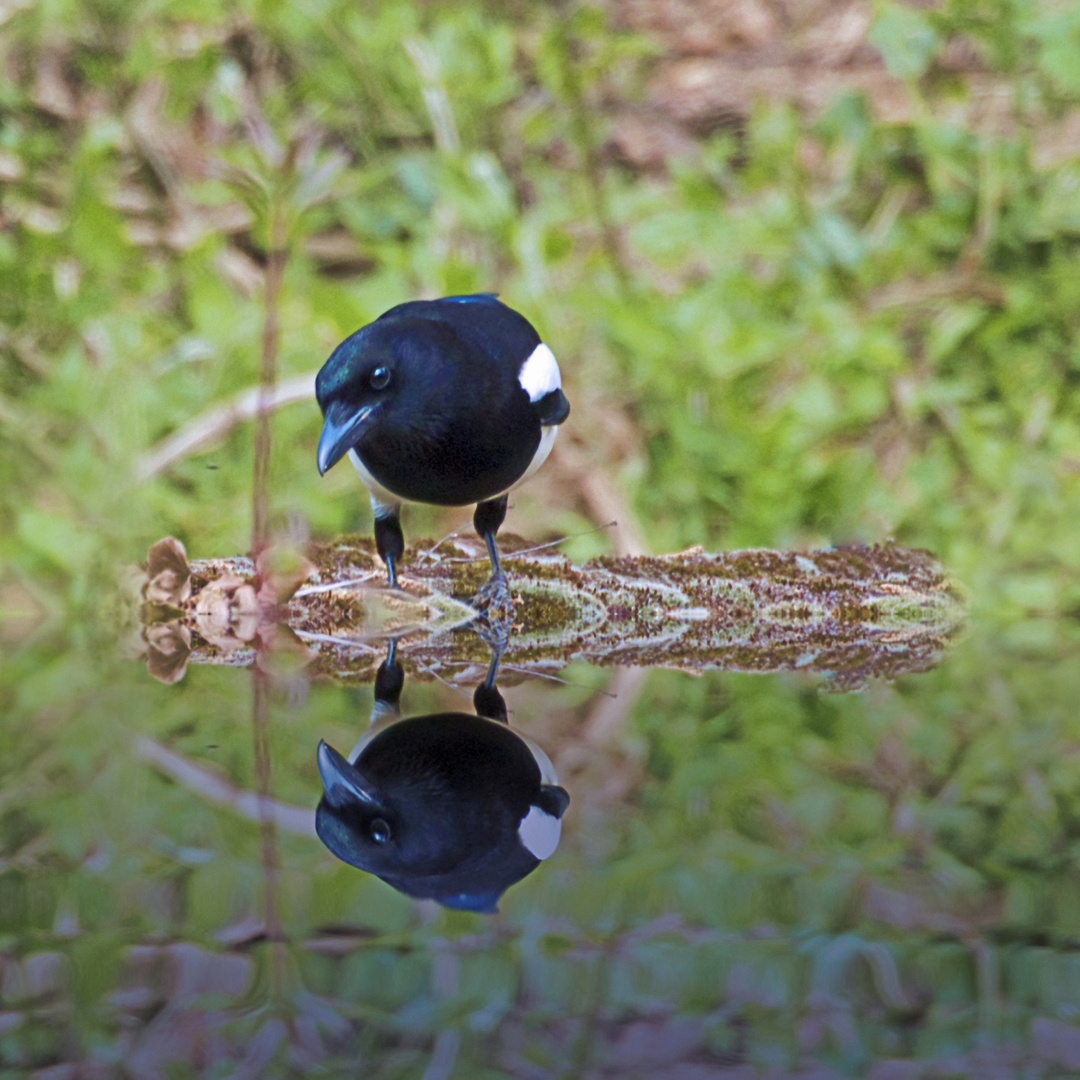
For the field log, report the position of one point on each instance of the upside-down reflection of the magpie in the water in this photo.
(449, 807)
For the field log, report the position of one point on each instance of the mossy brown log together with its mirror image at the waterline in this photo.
(848, 613)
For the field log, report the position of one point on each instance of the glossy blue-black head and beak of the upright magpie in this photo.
(389, 377)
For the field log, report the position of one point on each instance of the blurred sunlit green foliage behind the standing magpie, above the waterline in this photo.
(827, 330)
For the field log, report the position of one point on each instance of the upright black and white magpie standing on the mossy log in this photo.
(449, 402)
